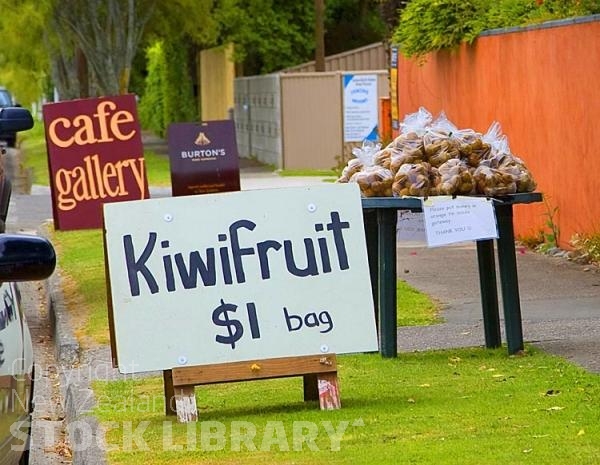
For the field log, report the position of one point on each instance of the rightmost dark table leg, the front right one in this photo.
(507, 262)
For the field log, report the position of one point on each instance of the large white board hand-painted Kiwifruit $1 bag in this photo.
(238, 276)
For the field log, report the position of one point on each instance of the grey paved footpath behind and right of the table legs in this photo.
(560, 301)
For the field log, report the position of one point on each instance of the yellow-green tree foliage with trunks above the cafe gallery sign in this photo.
(60, 38)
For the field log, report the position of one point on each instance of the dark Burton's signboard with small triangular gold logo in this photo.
(204, 158)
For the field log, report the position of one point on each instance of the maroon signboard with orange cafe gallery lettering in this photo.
(95, 155)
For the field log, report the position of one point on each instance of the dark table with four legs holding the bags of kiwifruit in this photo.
(380, 218)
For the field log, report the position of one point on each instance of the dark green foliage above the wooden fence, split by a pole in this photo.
(274, 34)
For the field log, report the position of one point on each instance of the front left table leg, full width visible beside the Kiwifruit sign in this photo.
(386, 232)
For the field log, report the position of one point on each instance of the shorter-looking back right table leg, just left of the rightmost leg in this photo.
(489, 293)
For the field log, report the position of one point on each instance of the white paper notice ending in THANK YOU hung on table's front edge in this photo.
(449, 220)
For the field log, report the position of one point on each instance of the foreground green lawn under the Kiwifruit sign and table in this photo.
(462, 407)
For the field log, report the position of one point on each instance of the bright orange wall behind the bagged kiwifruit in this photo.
(543, 86)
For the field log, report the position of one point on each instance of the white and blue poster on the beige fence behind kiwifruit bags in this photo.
(361, 117)
